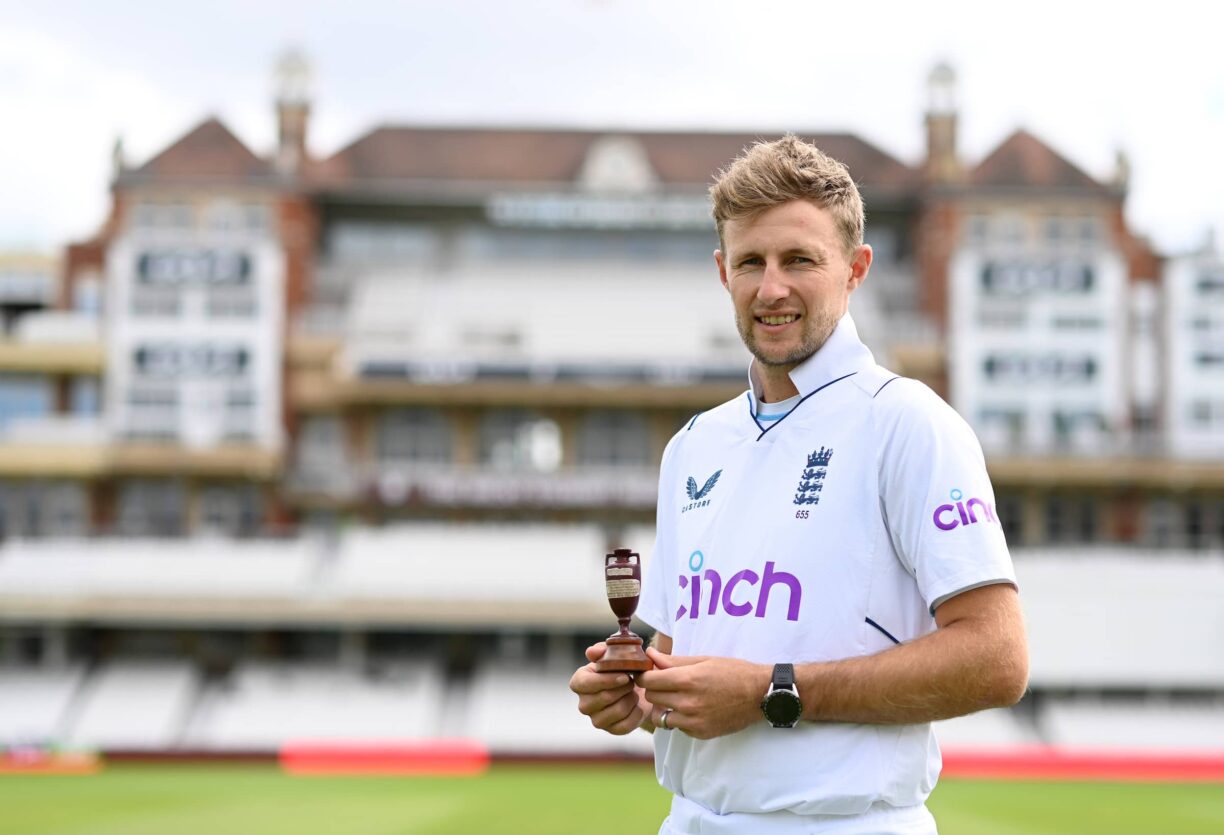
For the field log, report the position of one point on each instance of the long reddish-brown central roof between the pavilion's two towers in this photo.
(542, 156)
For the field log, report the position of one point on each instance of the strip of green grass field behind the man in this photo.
(537, 800)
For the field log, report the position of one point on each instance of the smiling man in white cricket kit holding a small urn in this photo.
(829, 575)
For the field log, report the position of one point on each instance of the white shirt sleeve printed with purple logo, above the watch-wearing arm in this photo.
(937, 496)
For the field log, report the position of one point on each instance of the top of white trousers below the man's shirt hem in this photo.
(690, 818)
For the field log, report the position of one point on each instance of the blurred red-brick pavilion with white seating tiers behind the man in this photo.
(429, 380)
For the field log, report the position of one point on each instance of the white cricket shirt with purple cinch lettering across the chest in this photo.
(829, 534)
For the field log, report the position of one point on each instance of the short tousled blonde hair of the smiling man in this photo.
(769, 174)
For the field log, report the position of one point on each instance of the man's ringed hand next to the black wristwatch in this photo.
(709, 697)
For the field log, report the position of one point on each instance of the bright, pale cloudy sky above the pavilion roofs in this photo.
(1089, 78)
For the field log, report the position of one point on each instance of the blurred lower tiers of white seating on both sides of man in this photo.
(527, 598)
